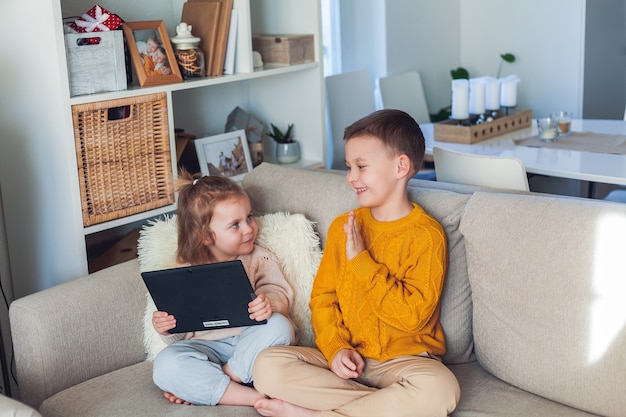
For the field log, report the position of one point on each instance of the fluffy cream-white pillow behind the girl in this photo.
(291, 237)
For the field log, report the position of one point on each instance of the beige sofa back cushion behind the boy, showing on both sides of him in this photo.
(323, 195)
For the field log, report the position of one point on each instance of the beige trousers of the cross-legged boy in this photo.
(404, 386)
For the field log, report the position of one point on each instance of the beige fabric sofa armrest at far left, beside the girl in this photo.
(78, 330)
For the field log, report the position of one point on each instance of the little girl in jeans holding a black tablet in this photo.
(215, 224)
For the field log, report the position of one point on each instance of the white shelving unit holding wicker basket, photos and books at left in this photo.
(38, 166)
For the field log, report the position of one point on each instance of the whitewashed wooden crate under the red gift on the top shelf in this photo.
(96, 66)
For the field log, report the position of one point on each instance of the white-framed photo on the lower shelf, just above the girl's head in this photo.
(226, 154)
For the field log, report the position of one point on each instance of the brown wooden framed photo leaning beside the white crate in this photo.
(151, 52)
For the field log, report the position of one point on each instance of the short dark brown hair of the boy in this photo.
(398, 131)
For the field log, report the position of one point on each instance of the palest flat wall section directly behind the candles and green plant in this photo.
(549, 55)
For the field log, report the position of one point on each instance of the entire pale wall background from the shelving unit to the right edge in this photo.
(548, 38)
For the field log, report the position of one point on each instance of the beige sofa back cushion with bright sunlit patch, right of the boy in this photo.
(548, 282)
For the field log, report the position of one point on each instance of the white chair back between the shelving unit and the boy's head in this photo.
(349, 96)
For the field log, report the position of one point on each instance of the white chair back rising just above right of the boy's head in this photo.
(404, 91)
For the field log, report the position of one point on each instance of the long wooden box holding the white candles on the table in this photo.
(450, 131)
